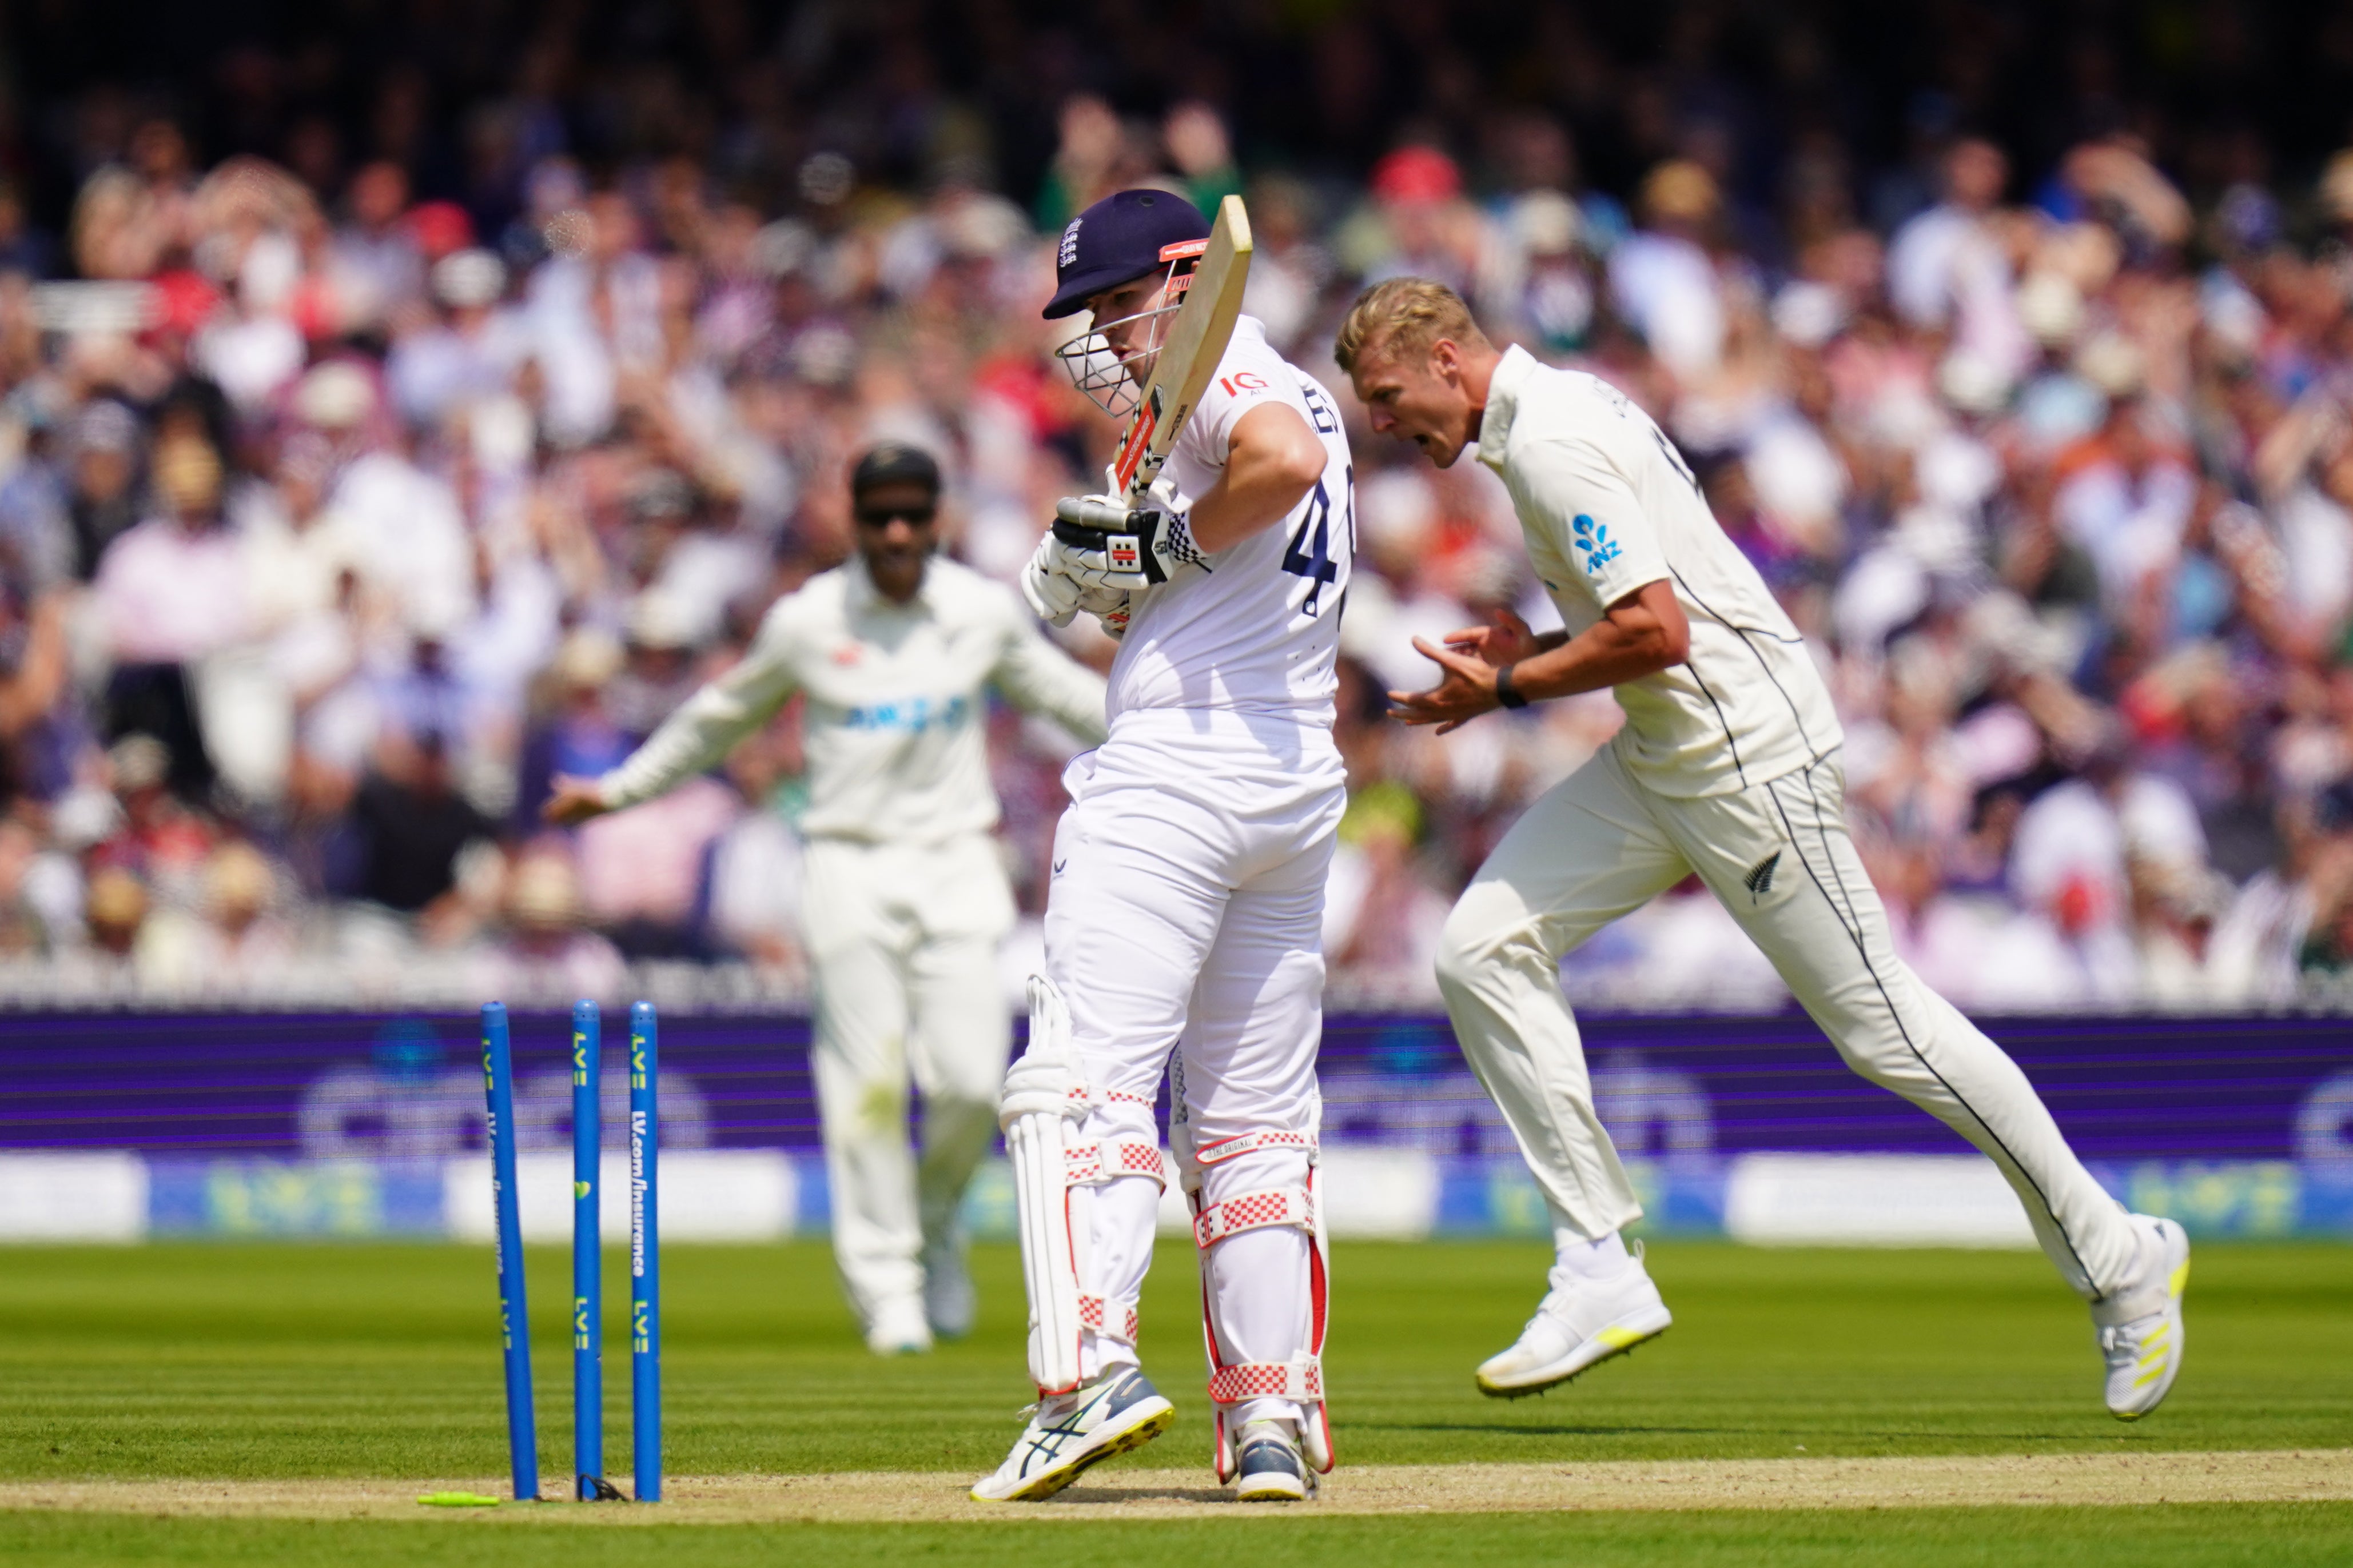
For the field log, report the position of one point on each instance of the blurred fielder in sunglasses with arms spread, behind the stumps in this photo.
(907, 899)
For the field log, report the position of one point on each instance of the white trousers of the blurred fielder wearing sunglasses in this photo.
(905, 960)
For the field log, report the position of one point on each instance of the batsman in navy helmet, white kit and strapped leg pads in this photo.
(1187, 902)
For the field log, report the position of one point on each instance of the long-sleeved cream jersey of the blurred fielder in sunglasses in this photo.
(895, 704)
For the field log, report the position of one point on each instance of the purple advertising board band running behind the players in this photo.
(408, 1087)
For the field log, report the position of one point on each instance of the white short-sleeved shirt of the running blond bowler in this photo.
(1608, 507)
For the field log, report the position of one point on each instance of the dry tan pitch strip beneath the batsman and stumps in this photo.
(1389, 1489)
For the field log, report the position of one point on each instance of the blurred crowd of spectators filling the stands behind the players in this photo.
(347, 502)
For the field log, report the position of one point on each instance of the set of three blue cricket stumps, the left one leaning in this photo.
(587, 1257)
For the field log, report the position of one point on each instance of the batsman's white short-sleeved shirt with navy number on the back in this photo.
(1260, 631)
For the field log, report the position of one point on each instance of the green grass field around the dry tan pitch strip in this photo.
(284, 1362)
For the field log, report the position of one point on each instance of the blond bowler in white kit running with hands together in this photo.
(1728, 768)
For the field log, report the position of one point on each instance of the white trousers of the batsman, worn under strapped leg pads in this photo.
(1187, 916)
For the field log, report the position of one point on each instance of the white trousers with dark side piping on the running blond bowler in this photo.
(1780, 859)
